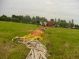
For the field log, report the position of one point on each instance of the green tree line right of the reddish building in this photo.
(65, 24)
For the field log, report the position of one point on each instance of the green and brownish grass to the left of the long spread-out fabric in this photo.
(8, 30)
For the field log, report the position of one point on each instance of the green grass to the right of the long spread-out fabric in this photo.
(63, 43)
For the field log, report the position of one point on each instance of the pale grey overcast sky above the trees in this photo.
(64, 9)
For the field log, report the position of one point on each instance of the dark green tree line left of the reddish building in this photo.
(23, 19)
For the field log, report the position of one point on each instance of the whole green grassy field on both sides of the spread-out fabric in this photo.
(61, 43)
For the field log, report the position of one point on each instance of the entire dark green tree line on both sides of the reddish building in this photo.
(36, 20)
